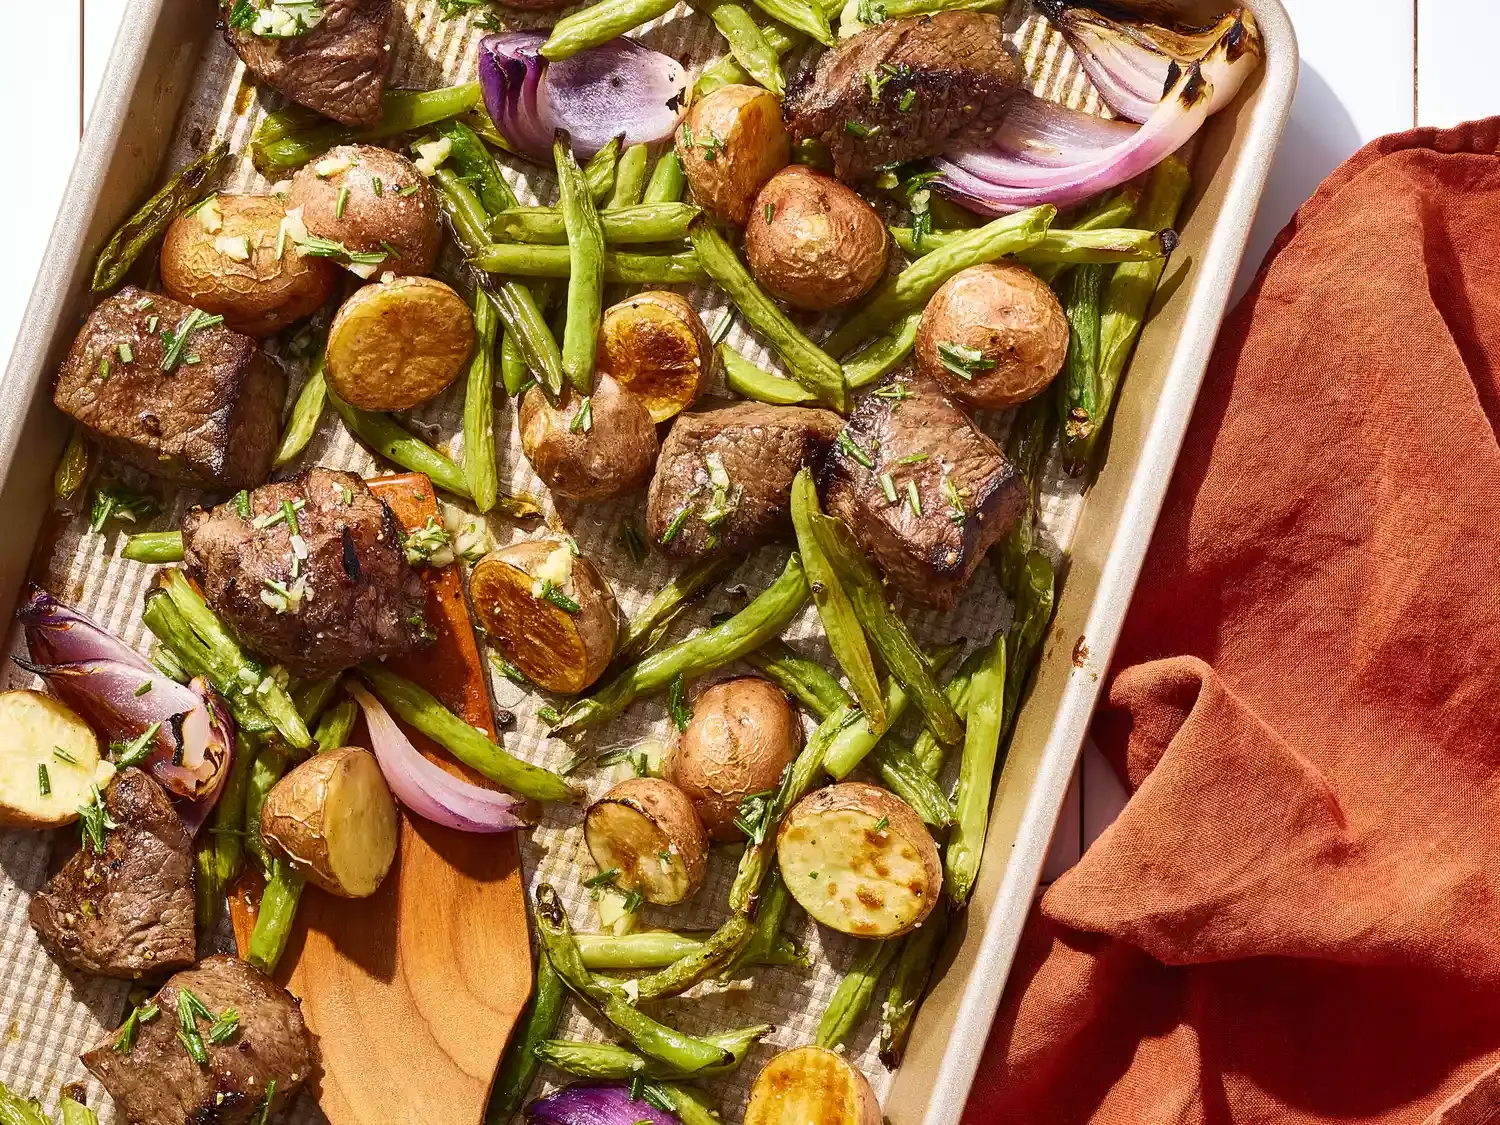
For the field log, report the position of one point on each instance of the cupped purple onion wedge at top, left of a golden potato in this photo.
(613, 89)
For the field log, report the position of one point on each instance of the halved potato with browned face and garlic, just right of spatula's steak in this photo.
(551, 613)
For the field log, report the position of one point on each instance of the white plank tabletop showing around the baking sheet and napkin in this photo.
(1369, 68)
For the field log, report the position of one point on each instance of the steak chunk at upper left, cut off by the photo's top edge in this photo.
(338, 68)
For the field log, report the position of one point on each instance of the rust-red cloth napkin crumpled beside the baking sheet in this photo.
(1297, 919)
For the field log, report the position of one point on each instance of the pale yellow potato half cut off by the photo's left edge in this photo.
(49, 763)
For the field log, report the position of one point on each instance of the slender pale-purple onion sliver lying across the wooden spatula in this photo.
(427, 790)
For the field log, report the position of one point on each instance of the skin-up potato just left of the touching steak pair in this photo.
(613, 458)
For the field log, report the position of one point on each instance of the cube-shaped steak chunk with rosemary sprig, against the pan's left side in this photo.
(203, 412)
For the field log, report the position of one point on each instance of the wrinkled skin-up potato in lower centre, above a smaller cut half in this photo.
(742, 737)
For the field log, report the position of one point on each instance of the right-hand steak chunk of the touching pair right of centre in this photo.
(968, 494)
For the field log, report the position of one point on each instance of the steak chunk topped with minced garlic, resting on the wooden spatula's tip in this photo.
(343, 593)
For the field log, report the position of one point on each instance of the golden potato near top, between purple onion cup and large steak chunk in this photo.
(746, 146)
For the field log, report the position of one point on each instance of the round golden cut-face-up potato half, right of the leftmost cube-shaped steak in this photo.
(398, 344)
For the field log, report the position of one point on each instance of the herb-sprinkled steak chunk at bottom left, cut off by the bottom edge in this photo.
(158, 1084)
